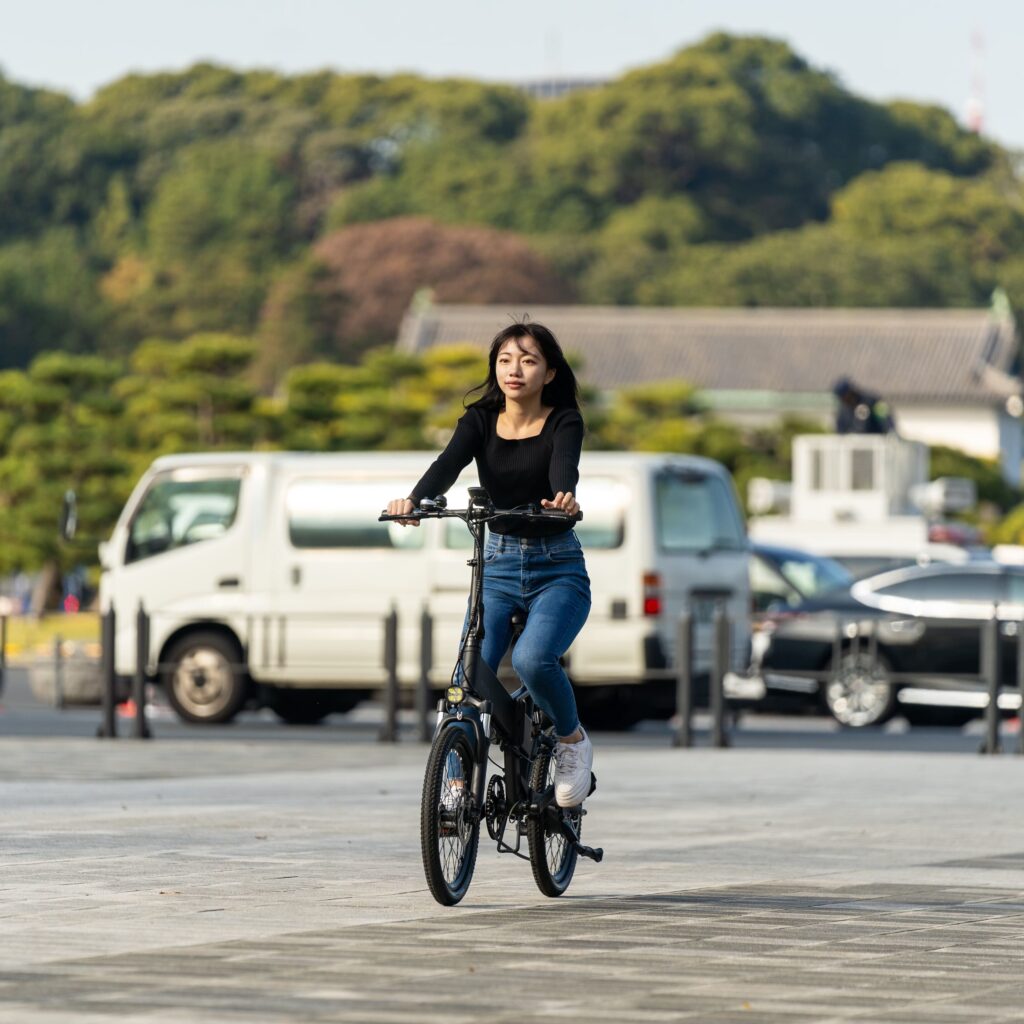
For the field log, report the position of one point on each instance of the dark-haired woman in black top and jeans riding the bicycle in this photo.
(526, 434)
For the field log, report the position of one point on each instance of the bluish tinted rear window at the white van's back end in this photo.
(697, 513)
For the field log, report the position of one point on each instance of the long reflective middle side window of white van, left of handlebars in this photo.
(326, 514)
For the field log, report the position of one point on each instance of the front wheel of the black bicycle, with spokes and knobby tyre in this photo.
(450, 832)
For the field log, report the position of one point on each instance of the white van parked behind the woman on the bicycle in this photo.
(268, 578)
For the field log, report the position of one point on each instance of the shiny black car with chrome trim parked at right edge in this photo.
(928, 624)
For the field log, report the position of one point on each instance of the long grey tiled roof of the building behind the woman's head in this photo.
(917, 355)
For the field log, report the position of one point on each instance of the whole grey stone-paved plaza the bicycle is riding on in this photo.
(231, 880)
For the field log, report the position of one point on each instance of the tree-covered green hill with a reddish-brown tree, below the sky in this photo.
(307, 211)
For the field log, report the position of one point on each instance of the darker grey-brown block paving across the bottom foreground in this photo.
(381, 973)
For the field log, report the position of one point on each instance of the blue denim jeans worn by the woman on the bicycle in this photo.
(546, 578)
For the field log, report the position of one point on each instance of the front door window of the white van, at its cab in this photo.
(178, 513)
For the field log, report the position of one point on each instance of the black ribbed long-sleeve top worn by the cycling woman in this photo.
(514, 473)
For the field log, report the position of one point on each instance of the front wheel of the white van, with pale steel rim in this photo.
(204, 679)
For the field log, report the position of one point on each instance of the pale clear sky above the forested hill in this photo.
(926, 51)
